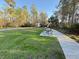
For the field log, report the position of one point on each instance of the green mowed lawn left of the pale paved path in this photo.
(28, 44)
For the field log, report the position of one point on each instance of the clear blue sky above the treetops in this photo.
(49, 6)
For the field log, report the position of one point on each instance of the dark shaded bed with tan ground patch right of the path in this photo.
(74, 34)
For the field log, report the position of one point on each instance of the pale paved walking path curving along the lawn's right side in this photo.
(69, 46)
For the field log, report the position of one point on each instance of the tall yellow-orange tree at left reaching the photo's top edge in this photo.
(10, 12)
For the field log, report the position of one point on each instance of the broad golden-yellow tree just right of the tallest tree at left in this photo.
(22, 16)
